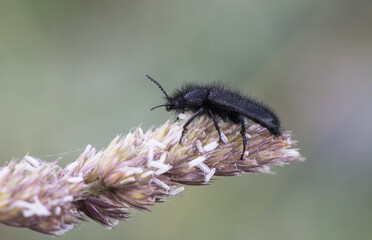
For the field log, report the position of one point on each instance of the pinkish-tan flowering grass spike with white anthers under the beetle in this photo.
(133, 172)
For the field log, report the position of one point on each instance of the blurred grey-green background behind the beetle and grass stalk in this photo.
(72, 74)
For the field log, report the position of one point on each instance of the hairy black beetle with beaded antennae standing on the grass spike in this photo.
(218, 100)
